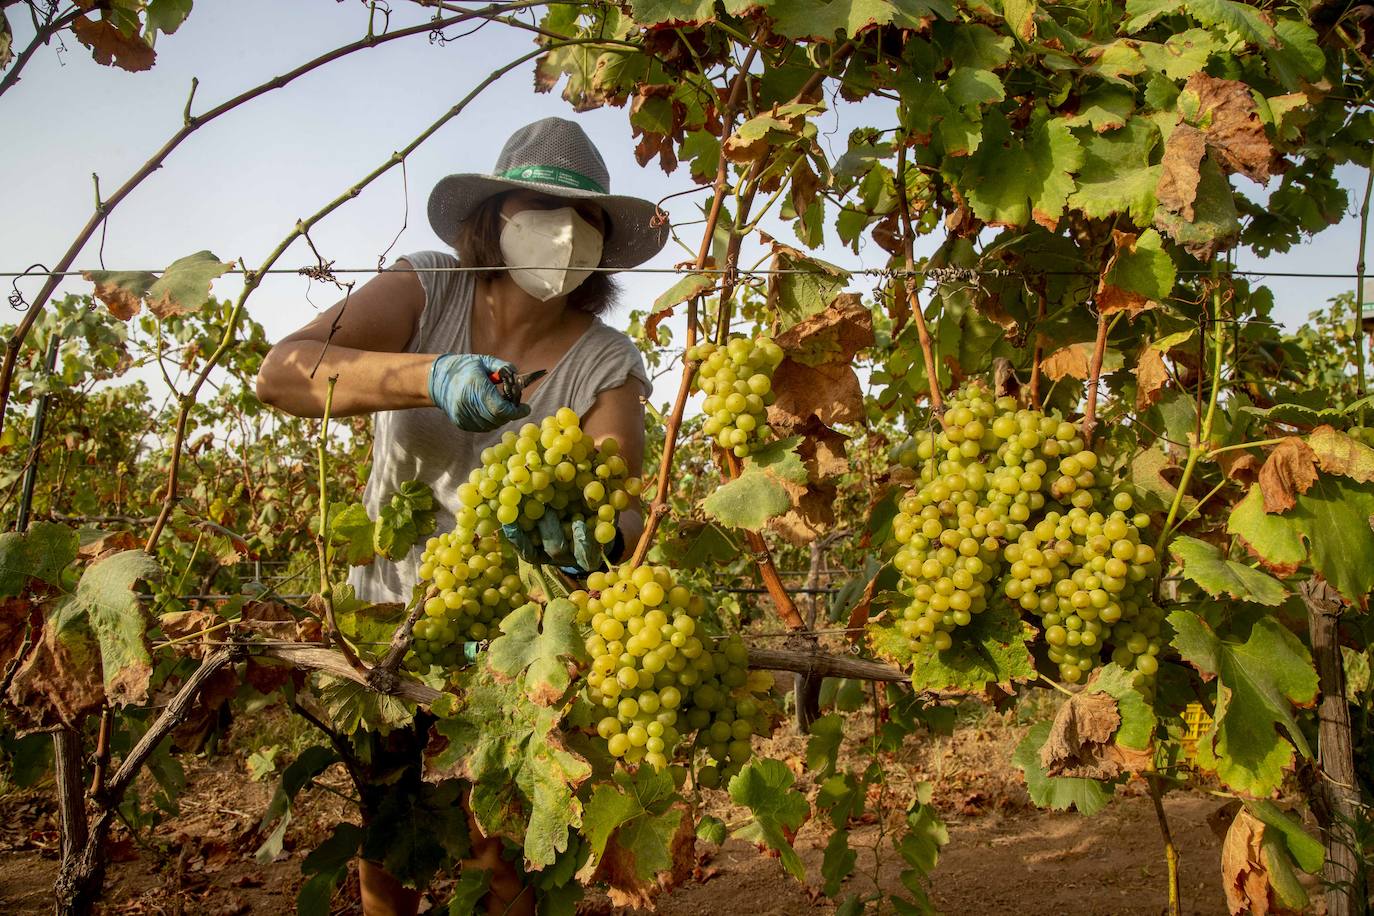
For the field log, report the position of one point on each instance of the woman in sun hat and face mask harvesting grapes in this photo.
(418, 348)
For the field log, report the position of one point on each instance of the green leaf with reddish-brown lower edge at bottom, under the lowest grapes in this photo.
(634, 827)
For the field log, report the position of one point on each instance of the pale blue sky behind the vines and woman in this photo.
(238, 186)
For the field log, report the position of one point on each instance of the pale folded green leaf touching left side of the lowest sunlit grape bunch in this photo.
(538, 645)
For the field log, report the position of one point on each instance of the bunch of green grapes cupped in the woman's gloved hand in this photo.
(548, 468)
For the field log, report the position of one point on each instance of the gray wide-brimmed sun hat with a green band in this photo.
(554, 157)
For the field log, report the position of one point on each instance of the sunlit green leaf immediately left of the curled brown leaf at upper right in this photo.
(1116, 175)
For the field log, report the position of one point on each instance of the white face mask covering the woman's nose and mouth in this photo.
(550, 252)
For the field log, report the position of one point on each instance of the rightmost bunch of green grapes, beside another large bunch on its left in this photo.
(1090, 579)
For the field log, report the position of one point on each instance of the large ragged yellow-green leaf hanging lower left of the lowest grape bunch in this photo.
(524, 778)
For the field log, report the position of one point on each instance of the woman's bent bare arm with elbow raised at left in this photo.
(374, 326)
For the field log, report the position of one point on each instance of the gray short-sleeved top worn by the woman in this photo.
(421, 444)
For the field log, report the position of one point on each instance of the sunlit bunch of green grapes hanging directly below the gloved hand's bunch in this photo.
(645, 654)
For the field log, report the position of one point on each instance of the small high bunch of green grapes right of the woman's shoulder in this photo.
(737, 381)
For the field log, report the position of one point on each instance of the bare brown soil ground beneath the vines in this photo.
(1005, 856)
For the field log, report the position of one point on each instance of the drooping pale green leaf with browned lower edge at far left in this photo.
(106, 599)
